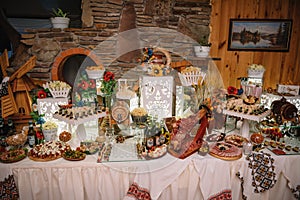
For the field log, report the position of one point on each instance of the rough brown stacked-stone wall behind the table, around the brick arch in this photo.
(103, 19)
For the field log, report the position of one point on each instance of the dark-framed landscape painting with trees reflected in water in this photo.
(259, 34)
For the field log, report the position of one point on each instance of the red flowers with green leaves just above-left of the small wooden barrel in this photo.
(108, 83)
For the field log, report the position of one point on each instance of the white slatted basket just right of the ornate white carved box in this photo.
(191, 78)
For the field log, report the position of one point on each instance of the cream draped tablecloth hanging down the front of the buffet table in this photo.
(196, 177)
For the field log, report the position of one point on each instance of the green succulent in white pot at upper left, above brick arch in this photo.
(59, 19)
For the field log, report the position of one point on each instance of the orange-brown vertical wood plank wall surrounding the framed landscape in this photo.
(280, 66)
